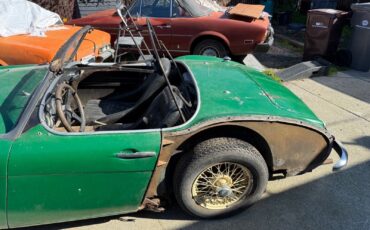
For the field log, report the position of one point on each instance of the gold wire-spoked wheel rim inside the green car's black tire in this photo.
(222, 185)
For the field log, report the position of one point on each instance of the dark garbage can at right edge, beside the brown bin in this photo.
(360, 43)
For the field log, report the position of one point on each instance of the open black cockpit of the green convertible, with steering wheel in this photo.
(102, 99)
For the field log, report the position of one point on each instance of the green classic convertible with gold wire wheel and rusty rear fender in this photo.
(80, 141)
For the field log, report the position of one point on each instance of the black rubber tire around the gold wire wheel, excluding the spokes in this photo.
(210, 152)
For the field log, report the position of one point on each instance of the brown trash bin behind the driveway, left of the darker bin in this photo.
(323, 32)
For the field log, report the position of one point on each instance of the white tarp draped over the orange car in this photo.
(24, 17)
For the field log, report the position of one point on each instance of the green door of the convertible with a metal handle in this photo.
(55, 178)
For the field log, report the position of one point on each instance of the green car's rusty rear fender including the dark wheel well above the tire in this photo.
(288, 146)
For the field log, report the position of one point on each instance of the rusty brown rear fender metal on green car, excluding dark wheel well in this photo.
(293, 146)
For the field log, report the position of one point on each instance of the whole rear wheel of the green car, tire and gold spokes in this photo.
(220, 176)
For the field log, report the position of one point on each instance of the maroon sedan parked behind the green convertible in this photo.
(186, 27)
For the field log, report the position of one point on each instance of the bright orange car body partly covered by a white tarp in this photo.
(25, 49)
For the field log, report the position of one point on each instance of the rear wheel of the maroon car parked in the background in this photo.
(210, 47)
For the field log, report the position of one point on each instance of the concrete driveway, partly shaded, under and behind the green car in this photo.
(318, 200)
